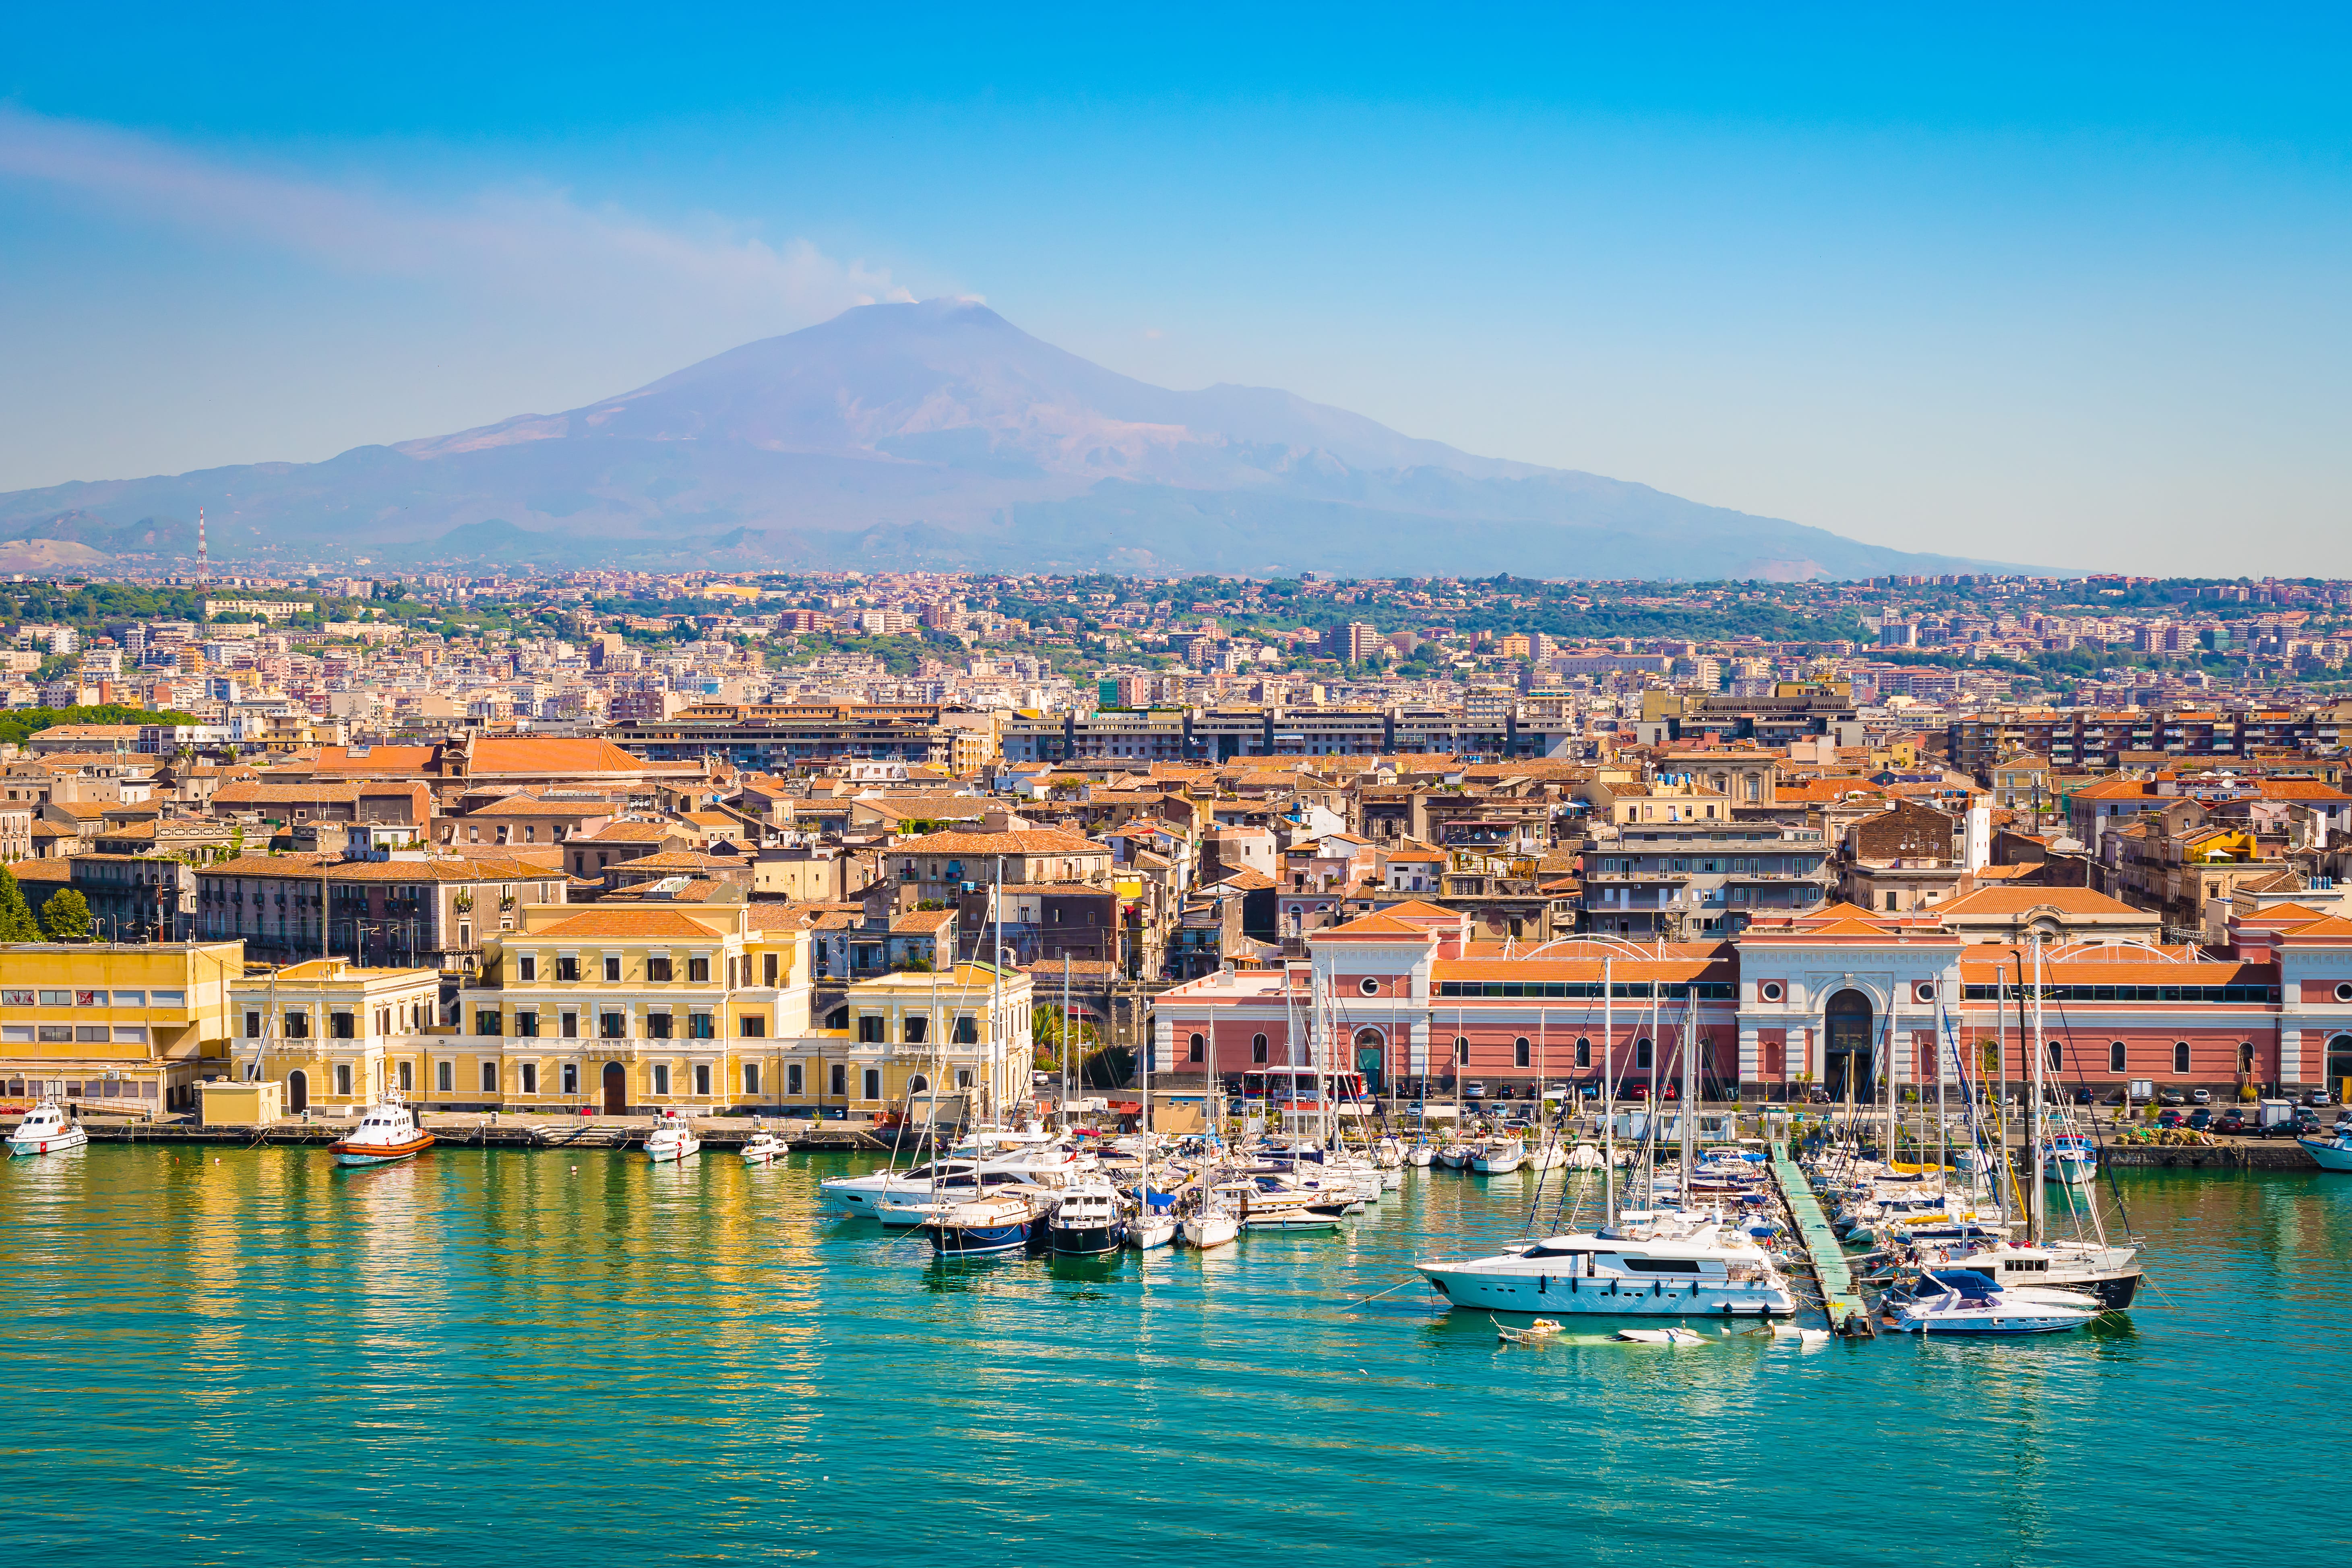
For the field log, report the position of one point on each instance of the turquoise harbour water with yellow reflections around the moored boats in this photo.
(500, 1358)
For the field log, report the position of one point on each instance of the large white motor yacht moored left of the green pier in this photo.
(1704, 1271)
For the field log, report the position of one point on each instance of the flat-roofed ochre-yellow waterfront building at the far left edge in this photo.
(116, 1026)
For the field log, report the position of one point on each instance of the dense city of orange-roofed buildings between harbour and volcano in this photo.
(519, 843)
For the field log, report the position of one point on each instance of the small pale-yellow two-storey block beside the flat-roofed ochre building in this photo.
(335, 1036)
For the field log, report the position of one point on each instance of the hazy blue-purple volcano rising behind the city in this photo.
(937, 436)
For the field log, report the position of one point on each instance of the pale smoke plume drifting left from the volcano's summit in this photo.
(526, 241)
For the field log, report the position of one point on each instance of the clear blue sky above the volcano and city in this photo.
(2057, 286)
